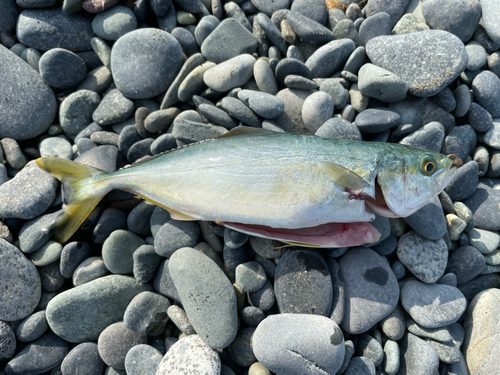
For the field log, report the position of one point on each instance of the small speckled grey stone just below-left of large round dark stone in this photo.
(113, 108)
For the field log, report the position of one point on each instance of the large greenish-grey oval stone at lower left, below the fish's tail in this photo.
(99, 303)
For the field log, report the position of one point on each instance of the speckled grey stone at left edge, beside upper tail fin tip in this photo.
(21, 198)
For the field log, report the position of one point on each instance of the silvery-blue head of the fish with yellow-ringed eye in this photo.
(409, 179)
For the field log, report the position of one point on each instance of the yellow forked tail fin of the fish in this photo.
(87, 189)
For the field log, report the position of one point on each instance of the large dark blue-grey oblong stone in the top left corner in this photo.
(44, 29)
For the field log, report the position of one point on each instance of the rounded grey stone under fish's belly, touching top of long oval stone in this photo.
(174, 235)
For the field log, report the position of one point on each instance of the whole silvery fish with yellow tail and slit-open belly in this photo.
(302, 190)
